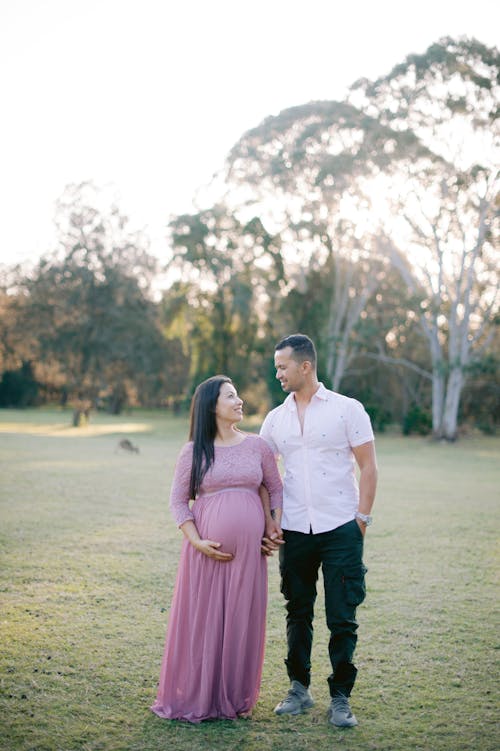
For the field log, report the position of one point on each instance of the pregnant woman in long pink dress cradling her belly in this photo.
(214, 648)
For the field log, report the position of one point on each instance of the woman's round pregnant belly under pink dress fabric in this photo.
(233, 518)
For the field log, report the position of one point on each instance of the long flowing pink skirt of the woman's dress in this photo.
(212, 664)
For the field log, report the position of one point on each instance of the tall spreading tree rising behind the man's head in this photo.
(313, 166)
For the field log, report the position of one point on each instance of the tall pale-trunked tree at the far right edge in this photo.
(444, 210)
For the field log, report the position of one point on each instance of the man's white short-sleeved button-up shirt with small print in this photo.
(320, 488)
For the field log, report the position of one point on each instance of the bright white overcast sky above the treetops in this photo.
(148, 96)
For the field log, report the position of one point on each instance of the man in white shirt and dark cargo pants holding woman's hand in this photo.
(320, 435)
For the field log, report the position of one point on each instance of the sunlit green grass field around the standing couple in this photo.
(89, 556)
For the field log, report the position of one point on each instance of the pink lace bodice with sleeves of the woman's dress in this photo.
(246, 465)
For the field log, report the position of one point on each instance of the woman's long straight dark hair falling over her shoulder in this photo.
(203, 428)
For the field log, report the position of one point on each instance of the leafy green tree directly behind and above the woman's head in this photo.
(224, 266)
